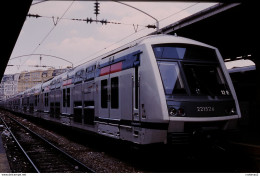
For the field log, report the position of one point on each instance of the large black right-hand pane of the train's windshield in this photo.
(205, 80)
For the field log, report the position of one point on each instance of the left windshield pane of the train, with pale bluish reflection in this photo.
(171, 78)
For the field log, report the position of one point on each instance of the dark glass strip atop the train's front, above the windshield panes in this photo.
(184, 51)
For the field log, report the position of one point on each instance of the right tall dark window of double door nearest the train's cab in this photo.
(114, 93)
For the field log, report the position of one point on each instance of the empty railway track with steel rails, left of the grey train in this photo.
(41, 154)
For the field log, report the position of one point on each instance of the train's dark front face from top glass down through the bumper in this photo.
(200, 97)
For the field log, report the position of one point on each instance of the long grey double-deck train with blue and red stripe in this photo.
(156, 89)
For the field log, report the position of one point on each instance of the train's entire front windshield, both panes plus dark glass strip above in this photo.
(200, 74)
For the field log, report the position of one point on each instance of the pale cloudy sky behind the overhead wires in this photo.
(78, 41)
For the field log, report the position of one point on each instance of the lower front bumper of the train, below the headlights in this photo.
(184, 130)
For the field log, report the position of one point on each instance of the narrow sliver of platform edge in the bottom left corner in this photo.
(4, 164)
